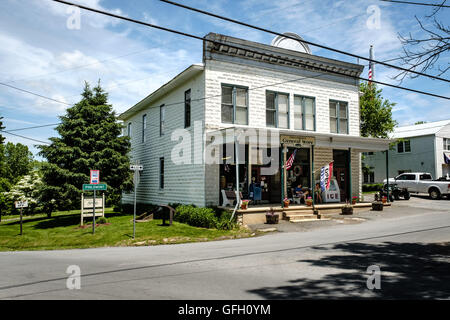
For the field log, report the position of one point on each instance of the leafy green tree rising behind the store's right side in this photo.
(375, 112)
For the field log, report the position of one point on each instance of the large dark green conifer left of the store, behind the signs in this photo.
(90, 138)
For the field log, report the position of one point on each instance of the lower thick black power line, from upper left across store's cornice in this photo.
(227, 44)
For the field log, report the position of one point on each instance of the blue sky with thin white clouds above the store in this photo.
(40, 54)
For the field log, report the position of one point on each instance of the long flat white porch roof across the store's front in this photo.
(326, 140)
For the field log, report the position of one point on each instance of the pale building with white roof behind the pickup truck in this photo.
(422, 148)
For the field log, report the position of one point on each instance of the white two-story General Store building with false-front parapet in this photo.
(244, 113)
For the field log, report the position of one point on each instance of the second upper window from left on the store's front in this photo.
(277, 110)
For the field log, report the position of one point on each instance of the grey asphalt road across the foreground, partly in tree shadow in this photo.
(409, 242)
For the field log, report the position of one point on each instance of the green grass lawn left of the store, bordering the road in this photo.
(62, 231)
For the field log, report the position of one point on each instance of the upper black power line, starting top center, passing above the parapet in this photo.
(290, 37)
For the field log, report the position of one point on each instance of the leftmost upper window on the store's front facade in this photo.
(234, 105)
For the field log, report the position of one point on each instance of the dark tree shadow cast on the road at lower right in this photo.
(408, 271)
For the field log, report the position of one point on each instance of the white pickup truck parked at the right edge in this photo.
(421, 182)
